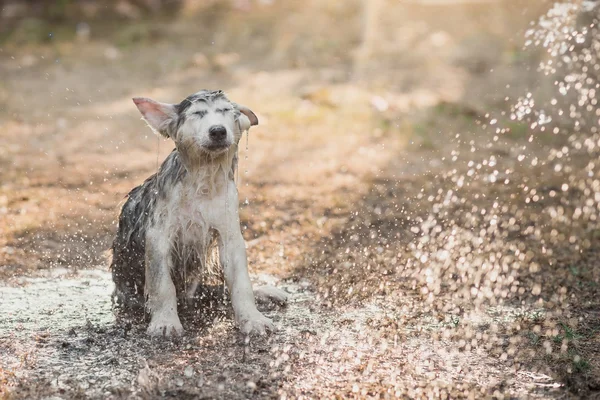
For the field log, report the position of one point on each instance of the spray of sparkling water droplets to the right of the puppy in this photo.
(499, 233)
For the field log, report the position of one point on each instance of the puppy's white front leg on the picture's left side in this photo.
(160, 290)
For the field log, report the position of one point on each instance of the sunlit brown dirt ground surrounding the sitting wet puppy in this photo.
(415, 185)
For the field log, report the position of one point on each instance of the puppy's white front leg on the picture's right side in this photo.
(232, 252)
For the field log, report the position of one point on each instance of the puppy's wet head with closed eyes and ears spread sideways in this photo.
(205, 123)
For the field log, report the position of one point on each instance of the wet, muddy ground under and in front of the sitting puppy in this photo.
(62, 340)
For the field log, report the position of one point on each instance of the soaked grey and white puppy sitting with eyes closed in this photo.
(170, 225)
